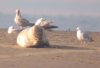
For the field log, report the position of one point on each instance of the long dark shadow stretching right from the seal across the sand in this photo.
(63, 47)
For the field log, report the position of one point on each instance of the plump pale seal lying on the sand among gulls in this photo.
(32, 37)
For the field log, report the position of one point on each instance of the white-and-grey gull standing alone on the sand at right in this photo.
(83, 36)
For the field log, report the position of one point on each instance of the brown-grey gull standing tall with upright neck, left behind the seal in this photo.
(20, 21)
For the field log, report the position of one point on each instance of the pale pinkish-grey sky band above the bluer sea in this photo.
(63, 7)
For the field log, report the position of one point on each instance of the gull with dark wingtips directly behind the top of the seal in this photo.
(46, 24)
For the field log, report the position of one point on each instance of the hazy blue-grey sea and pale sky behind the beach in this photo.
(67, 14)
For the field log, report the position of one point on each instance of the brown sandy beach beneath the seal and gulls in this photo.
(65, 52)
